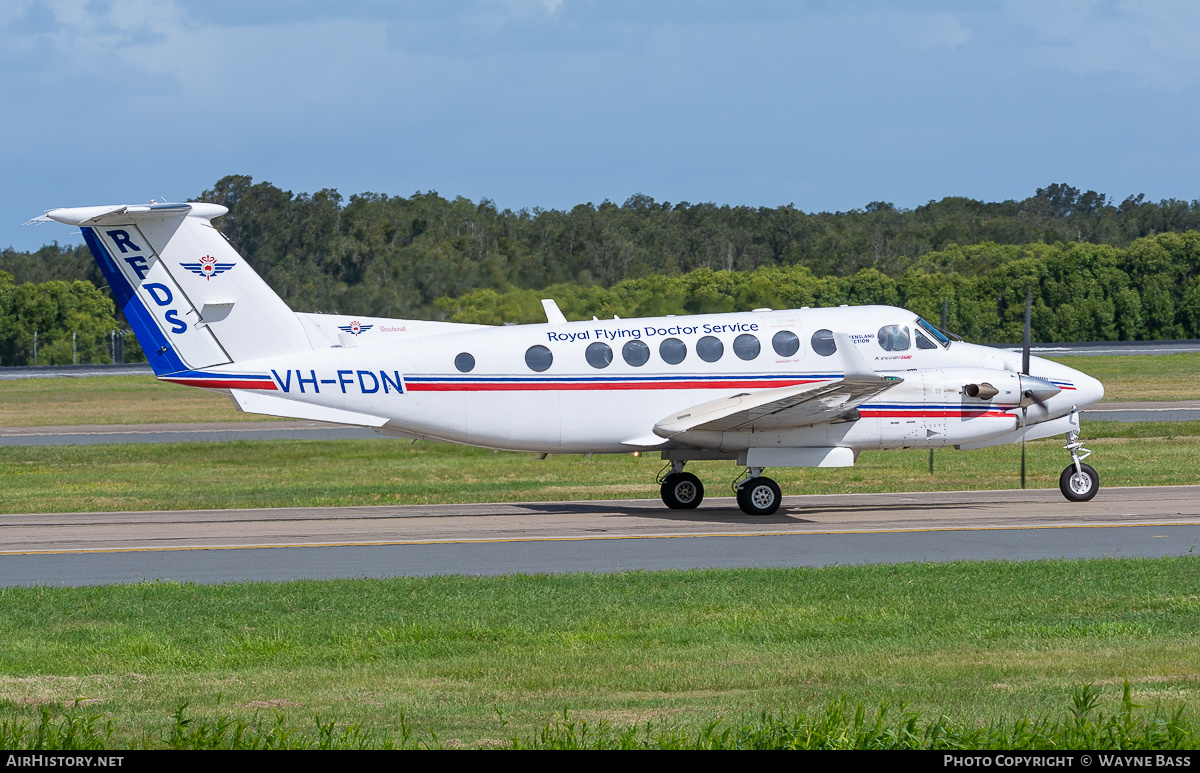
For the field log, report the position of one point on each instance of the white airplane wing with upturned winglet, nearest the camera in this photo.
(788, 406)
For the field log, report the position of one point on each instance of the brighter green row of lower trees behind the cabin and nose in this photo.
(1082, 292)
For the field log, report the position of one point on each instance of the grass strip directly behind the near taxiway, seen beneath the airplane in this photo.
(326, 474)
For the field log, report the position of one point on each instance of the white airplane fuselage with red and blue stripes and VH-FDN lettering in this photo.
(574, 408)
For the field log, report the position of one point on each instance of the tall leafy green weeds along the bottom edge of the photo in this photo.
(838, 726)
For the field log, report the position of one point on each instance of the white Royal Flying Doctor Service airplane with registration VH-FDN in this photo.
(800, 388)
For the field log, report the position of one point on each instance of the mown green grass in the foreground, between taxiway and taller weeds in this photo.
(483, 661)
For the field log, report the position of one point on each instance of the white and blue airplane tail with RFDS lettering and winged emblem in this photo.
(191, 299)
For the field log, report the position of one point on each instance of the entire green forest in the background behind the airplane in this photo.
(1099, 269)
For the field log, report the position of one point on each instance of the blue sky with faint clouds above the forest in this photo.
(551, 104)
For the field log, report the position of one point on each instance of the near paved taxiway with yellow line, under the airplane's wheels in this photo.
(212, 547)
